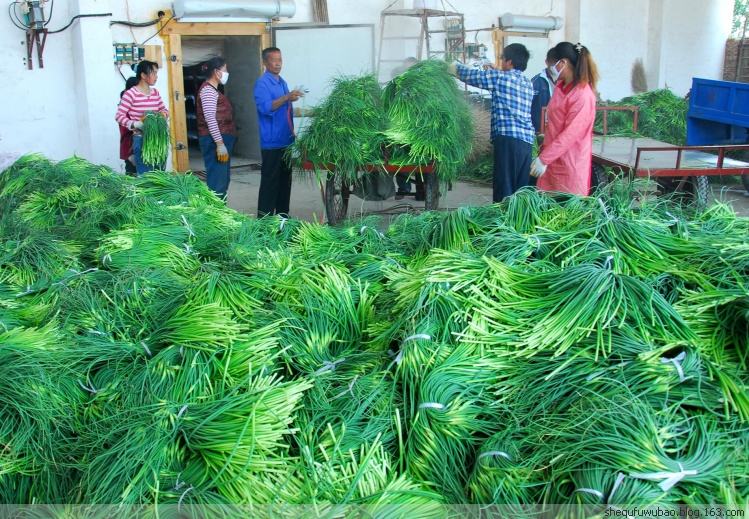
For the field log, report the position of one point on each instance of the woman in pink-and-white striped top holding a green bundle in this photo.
(134, 106)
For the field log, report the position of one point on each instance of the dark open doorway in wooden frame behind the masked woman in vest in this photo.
(242, 55)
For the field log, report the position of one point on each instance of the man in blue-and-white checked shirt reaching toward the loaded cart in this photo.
(512, 129)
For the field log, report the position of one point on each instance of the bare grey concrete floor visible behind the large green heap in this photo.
(306, 198)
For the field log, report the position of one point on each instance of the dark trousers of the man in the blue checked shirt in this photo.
(512, 165)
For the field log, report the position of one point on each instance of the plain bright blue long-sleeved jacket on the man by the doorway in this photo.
(276, 126)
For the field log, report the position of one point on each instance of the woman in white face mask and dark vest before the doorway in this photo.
(216, 130)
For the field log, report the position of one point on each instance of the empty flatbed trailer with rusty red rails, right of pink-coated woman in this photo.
(676, 168)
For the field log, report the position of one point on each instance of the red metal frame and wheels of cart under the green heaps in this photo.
(336, 191)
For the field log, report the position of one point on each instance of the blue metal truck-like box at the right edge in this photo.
(718, 113)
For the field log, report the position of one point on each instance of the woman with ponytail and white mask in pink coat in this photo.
(565, 159)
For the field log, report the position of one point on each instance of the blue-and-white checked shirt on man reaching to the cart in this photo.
(512, 95)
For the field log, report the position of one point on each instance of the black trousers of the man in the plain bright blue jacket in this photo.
(275, 183)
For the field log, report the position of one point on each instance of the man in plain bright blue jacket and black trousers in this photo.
(275, 119)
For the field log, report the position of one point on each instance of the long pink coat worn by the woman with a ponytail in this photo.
(568, 141)
